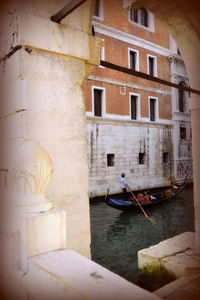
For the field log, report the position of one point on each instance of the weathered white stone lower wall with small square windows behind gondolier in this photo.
(125, 140)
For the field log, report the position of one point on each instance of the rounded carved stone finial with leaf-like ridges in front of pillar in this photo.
(29, 175)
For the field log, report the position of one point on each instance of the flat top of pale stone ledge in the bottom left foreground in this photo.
(66, 274)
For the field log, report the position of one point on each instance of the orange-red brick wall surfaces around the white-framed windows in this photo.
(116, 51)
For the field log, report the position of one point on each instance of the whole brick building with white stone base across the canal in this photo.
(130, 121)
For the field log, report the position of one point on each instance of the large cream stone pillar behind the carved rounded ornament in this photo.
(43, 66)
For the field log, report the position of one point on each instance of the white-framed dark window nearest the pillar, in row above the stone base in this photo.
(98, 101)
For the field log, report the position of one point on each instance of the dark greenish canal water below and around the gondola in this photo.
(117, 236)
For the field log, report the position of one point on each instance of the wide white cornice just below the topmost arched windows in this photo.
(130, 39)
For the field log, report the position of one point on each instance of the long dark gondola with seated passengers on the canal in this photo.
(151, 199)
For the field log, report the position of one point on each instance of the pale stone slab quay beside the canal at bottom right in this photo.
(178, 256)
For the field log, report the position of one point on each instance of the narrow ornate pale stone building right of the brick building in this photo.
(182, 145)
